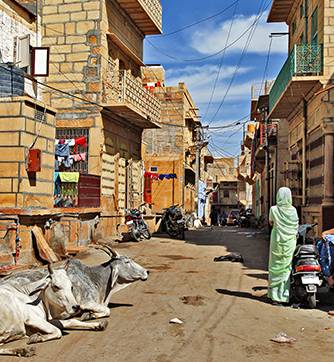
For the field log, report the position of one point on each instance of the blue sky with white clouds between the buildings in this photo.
(220, 85)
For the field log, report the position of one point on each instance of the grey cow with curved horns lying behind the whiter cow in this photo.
(93, 286)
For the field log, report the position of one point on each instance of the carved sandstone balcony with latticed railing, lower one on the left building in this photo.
(126, 95)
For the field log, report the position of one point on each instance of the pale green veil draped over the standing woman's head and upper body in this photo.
(285, 215)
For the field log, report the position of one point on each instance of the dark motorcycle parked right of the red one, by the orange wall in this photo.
(173, 222)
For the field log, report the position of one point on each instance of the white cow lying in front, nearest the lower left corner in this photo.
(27, 306)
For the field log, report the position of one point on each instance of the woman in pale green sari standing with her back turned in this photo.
(284, 220)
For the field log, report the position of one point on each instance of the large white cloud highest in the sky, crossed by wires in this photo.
(213, 38)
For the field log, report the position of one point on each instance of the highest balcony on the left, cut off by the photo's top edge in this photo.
(147, 14)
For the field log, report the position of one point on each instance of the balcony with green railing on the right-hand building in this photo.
(298, 79)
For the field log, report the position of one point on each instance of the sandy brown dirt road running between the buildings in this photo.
(225, 315)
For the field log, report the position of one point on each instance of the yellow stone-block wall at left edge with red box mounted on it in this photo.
(18, 130)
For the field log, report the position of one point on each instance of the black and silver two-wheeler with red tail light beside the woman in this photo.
(306, 274)
